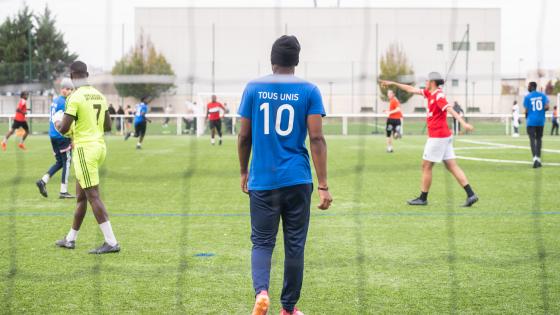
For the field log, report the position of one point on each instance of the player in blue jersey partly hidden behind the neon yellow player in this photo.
(62, 146)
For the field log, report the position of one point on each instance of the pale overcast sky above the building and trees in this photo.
(530, 29)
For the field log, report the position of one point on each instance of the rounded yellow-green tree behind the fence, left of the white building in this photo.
(143, 59)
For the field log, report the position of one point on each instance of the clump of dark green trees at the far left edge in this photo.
(31, 49)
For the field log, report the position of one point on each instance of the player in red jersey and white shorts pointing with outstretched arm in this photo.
(439, 146)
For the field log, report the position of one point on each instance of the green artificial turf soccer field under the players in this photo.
(183, 225)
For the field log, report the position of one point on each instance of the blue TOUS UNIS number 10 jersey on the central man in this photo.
(278, 106)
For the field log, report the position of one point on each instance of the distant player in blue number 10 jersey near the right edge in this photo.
(536, 105)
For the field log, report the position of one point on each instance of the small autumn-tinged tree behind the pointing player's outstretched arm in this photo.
(394, 66)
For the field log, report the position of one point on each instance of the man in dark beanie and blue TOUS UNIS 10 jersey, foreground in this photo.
(277, 112)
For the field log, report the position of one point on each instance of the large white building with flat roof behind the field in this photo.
(226, 47)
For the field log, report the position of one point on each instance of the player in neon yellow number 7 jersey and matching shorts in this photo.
(87, 115)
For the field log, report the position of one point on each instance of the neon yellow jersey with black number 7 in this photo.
(88, 106)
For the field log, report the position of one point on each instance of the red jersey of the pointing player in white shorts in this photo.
(437, 114)
